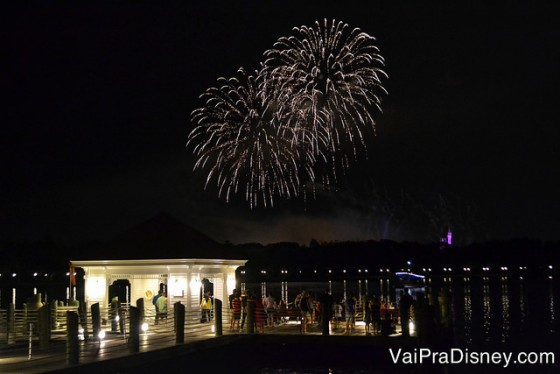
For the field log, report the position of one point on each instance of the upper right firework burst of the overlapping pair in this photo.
(330, 78)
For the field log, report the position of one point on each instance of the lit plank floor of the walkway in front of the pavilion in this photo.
(15, 359)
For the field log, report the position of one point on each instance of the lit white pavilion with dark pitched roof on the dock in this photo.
(162, 253)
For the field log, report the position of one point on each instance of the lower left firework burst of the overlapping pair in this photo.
(239, 138)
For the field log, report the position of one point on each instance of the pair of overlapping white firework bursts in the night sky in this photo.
(307, 109)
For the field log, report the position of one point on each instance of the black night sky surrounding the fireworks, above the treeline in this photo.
(97, 99)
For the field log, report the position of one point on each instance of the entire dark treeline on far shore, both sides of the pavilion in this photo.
(48, 256)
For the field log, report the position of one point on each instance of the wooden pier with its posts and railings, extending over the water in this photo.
(22, 350)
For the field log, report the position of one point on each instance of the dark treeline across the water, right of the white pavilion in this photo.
(374, 255)
